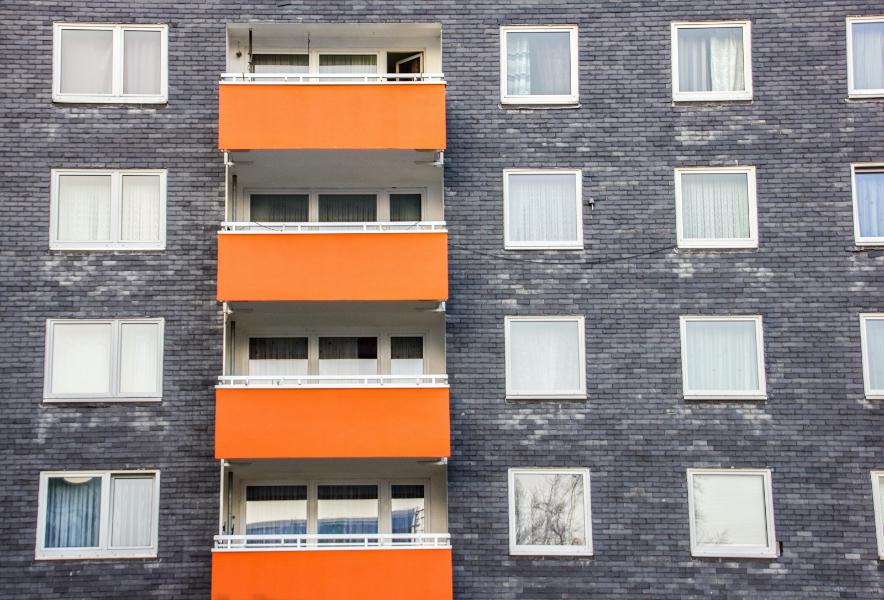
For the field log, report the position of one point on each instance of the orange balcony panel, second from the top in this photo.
(332, 266)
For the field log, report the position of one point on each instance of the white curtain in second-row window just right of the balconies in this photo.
(542, 208)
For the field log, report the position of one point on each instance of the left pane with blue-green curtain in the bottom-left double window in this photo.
(73, 506)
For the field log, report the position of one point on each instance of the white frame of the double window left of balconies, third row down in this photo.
(114, 394)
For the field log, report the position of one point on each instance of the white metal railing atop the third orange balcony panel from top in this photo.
(331, 381)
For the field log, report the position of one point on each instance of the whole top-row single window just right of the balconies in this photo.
(538, 64)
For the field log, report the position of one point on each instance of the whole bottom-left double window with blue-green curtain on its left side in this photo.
(98, 514)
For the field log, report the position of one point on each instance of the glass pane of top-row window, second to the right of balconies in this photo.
(710, 59)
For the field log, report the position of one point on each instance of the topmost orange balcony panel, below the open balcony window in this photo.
(381, 116)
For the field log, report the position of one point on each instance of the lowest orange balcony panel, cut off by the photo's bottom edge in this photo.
(333, 575)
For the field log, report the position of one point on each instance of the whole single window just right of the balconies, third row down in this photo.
(545, 358)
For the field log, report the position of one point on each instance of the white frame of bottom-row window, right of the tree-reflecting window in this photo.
(769, 550)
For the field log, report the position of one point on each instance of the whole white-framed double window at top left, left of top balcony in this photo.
(109, 63)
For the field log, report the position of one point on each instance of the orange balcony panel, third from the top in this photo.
(332, 423)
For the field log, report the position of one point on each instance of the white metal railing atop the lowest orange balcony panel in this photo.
(335, 541)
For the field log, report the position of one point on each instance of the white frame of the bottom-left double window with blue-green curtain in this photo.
(103, 550)
